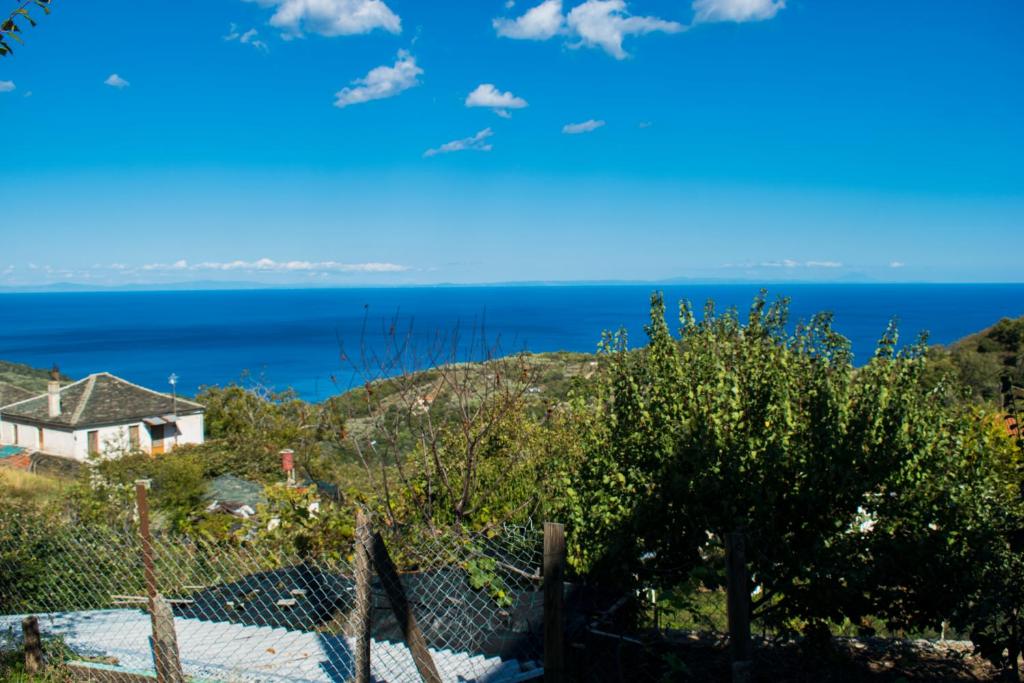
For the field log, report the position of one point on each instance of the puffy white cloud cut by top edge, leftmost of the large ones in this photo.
(332, 18)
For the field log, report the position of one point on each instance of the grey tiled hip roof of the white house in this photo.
(99, 400)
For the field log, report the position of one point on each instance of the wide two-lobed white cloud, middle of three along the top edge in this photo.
(604, 24)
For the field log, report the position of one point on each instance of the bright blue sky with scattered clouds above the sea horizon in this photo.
(332, 142)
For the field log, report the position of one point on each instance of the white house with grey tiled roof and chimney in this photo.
(102, 414)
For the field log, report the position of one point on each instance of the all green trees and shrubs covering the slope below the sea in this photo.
(880, 499)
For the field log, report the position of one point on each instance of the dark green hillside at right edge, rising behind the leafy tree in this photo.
(980, 360)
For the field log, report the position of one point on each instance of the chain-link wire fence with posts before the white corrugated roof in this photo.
(437, 609)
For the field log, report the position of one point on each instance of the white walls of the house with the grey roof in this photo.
(112, 440)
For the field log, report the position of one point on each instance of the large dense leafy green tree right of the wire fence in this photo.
(753, 429)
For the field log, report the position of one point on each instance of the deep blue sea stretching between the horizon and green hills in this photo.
(295, 338)
